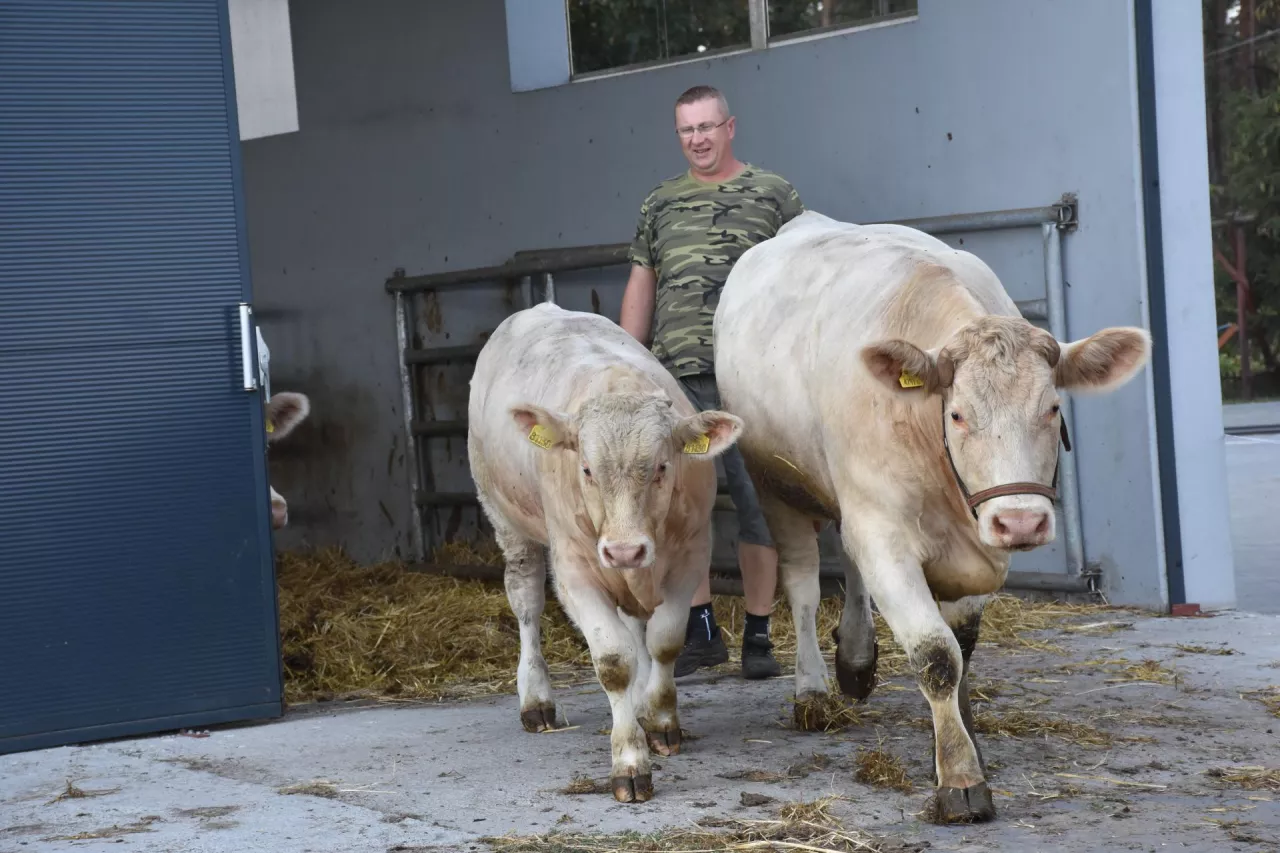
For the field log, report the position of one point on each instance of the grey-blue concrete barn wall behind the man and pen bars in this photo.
(417, 154)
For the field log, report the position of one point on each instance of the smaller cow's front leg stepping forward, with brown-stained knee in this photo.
(614, 654)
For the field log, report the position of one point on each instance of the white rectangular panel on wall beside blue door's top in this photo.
(263, 56)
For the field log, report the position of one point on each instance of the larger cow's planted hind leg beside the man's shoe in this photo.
(798, 567)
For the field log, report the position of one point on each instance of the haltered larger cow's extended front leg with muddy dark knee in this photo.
(897, 581)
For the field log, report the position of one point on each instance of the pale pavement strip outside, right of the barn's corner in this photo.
(1254, 483)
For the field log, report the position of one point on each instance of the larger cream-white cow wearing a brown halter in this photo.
(893, 386)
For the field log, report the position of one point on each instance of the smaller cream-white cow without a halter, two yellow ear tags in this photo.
(580, 441)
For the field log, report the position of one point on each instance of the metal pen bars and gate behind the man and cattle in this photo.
(525, 267)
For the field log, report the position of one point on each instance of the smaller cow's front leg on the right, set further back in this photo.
(665, 637)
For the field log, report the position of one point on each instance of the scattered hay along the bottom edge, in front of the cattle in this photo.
(798, 827)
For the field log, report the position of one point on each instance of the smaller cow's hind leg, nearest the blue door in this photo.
(525, 580)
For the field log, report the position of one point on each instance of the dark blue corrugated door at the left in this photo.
(136, 580)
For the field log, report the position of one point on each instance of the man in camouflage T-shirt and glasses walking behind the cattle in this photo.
(693, 229)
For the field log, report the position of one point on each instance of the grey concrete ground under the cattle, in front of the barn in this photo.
(414, 778)
